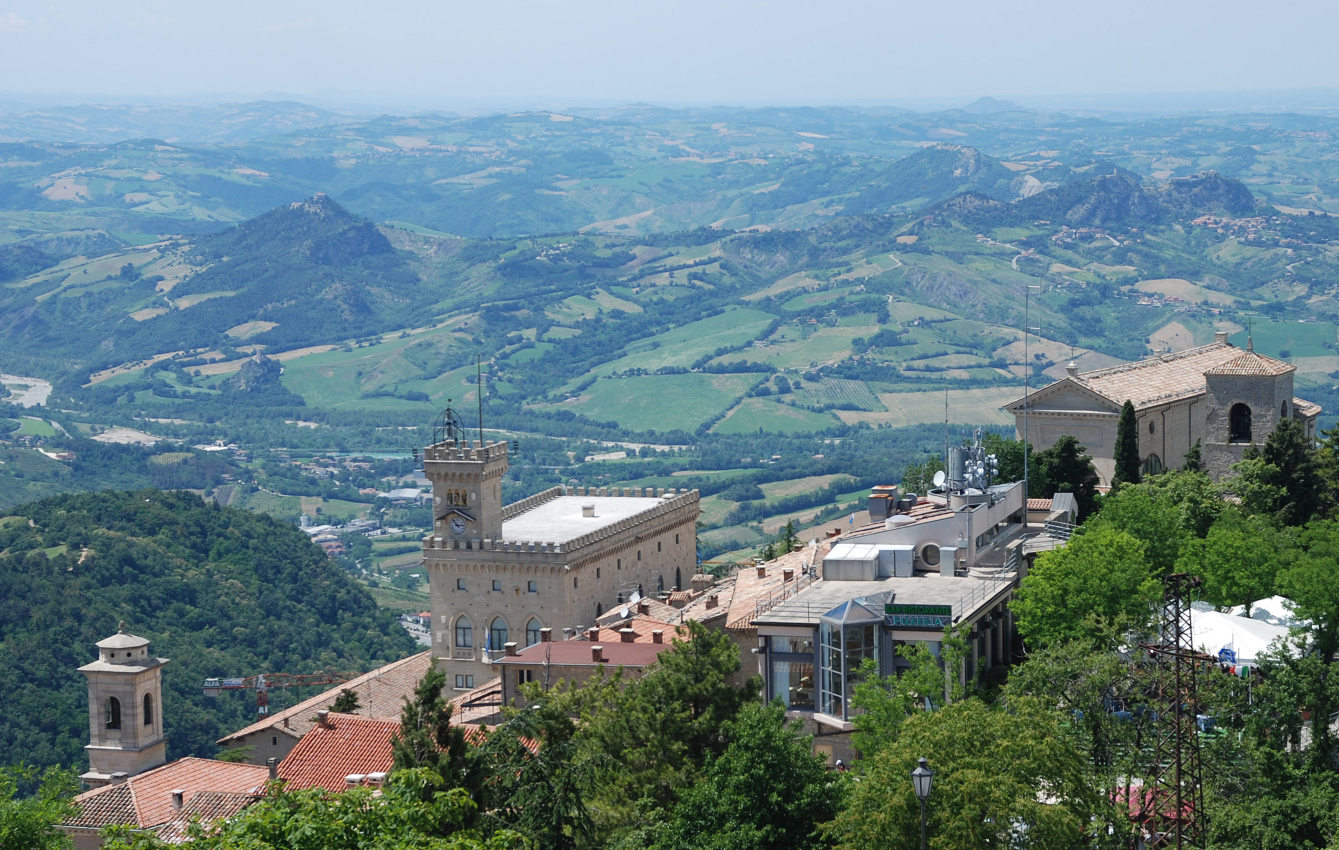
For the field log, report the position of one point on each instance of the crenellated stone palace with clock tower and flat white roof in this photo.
(558, 560)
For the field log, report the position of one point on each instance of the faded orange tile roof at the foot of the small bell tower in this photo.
(147, 800)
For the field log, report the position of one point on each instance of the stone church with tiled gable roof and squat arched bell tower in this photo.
(1219, 396)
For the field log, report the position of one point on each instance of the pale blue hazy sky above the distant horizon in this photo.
(444, 54)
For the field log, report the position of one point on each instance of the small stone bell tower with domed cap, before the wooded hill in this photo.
(125, 710)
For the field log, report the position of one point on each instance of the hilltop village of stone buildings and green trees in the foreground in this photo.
(559, 620)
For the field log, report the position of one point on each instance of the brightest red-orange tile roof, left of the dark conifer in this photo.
(347, 745)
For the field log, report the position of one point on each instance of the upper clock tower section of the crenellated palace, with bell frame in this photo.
(467, 484)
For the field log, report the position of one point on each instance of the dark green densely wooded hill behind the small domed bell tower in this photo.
(220, 592)
